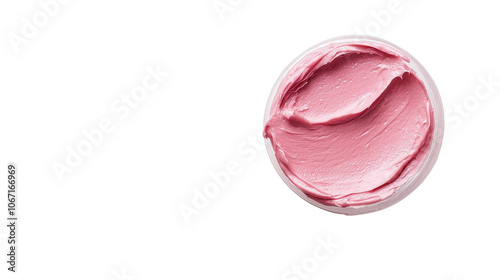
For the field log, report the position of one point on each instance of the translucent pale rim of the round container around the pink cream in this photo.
(412, 183)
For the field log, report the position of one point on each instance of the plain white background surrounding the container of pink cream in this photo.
(117, 214)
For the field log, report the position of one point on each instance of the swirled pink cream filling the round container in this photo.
(350, 123)
